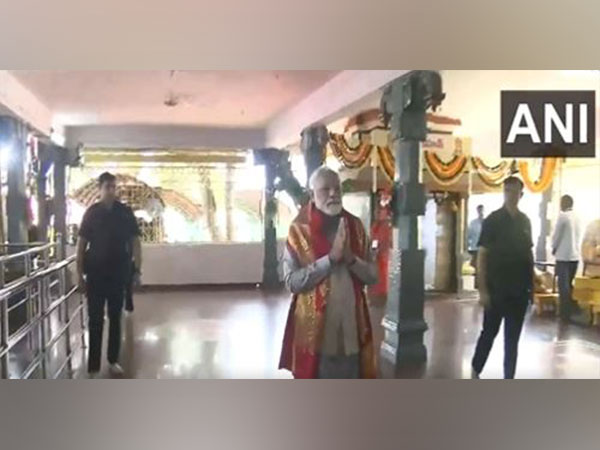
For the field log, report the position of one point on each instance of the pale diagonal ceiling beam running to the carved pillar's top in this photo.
(333, 100)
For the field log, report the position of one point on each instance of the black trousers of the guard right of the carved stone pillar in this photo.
(512, 310)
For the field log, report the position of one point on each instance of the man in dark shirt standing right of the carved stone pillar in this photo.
(505, 271)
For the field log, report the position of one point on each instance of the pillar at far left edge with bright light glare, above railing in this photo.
(13, 135)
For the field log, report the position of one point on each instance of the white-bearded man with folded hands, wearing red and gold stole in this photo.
(327, 264)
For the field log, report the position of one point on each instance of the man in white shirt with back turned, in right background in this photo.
(565, 248)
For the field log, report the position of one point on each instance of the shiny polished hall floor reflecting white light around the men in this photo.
(236, 333)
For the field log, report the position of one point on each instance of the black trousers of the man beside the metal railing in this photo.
(101, 292)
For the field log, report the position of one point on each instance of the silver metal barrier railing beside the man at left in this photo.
(52, 309)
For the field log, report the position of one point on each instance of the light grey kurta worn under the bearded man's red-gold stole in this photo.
(340, 334)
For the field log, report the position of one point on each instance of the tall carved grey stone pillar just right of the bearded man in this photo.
(404, 104)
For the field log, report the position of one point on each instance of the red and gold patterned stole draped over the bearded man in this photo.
(306, 318)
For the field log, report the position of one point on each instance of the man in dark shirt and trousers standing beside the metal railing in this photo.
(108, 241)
